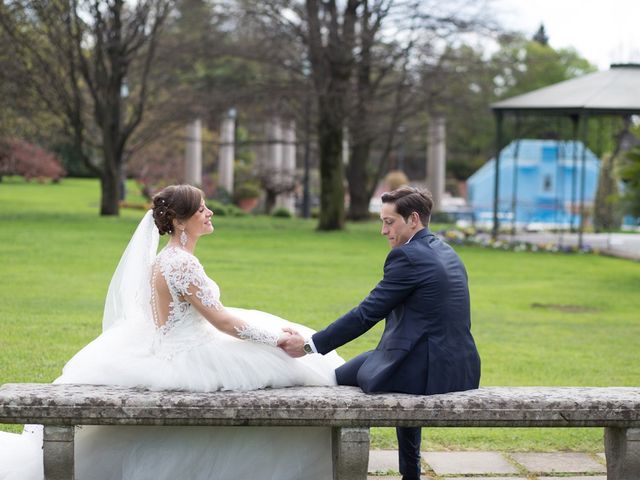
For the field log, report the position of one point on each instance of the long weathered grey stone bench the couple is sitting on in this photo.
(347, 410)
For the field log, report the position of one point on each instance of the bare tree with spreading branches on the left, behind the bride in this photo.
(90, 63)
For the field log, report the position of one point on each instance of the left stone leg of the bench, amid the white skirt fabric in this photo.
(58, 453)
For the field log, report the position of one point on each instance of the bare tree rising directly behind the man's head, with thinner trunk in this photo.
(395, 41)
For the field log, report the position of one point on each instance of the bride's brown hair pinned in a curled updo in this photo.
(178, 202)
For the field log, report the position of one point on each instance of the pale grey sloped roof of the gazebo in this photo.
(615, 91)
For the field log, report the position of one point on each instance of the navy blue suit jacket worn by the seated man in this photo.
(426, 347)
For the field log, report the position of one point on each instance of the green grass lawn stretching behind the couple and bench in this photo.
(538, 318)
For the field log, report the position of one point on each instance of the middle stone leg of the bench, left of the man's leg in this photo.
(350, 453)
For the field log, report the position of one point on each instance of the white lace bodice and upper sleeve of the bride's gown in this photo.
(184, 276)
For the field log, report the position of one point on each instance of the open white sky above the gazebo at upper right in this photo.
(602, 31)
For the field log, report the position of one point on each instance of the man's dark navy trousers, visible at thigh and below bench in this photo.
(408, 437)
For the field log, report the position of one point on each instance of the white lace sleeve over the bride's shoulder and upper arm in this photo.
(185, 276)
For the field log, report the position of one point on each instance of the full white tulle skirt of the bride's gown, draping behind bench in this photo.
(198, 358)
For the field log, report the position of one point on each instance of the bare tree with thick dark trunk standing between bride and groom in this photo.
(325, 30)
